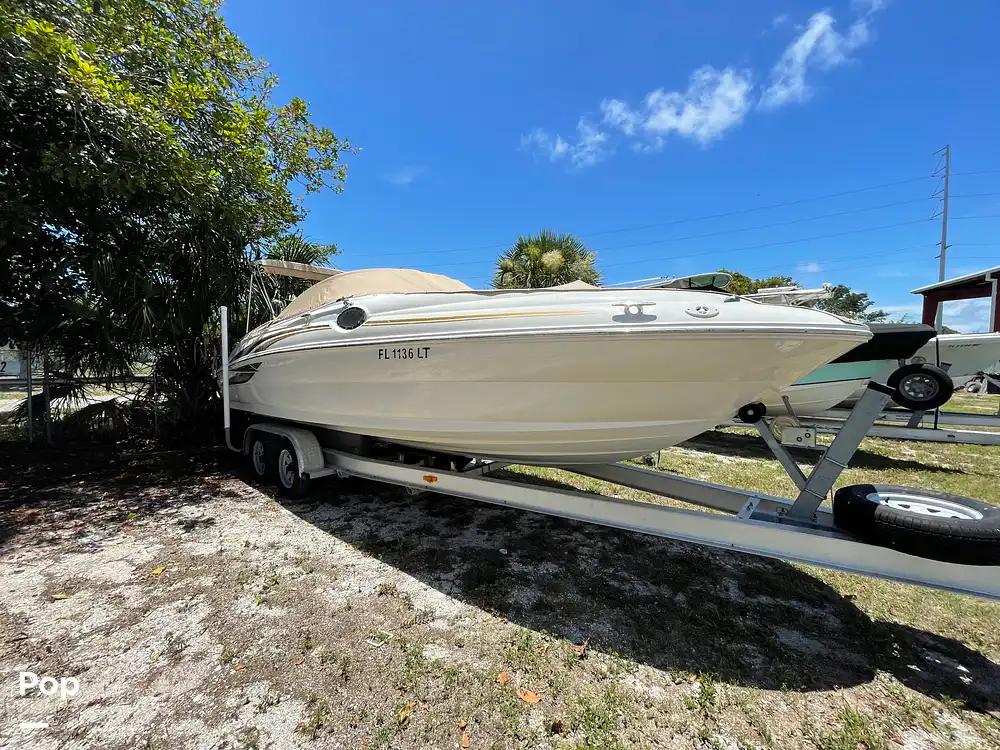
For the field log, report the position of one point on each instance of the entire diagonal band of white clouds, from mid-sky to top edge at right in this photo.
(715, 100)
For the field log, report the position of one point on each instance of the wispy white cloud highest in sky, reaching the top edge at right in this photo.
(820, 46)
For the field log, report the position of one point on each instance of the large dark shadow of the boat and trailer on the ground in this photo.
(673, 606)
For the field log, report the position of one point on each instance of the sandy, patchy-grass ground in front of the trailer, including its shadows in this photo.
(197, 610)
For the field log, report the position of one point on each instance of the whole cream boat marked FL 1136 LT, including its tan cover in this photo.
(545, 376)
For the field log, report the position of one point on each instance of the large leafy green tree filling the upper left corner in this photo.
(141, 155)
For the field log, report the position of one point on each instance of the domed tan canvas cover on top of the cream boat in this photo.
(370, 281)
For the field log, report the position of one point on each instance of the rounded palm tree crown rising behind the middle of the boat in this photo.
(543, 260)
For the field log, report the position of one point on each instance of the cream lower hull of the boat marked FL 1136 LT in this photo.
(547, 400)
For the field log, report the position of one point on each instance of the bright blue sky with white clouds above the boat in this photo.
(769, 137)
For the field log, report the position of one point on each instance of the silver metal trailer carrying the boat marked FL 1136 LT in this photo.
(800, 530)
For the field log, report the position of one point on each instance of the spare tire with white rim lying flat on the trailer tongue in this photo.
(926, 523)
